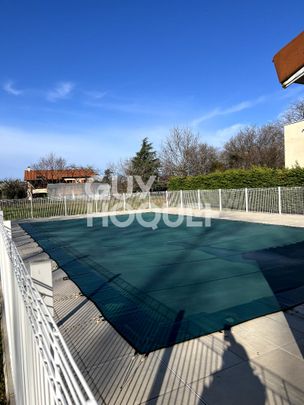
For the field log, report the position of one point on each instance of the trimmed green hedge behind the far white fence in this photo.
(240, 178)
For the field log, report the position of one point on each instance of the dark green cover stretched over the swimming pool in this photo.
(164, 286)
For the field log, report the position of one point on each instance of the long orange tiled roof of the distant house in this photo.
(57, 174)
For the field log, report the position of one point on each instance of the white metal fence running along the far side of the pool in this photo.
(280, 200)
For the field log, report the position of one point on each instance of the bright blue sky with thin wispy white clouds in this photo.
(89, 79)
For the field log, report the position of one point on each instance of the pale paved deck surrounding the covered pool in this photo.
(257, 362)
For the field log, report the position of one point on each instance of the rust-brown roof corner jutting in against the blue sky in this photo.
(289, 62)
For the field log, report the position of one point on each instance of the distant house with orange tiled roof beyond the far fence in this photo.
(38, 180)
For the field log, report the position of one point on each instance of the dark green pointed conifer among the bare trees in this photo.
(144, 164)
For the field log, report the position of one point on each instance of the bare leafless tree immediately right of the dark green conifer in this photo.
(183, 155)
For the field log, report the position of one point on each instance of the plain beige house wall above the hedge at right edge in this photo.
(294, 144)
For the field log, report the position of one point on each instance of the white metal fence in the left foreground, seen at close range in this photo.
(43, 370)
